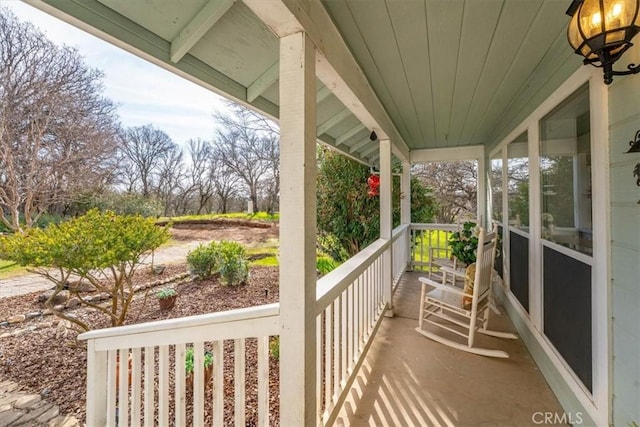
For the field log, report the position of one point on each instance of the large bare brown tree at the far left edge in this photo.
(56, 130)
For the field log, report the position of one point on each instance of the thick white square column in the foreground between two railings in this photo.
(297, 231)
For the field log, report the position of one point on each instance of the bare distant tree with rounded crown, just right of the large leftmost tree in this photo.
(144, 148)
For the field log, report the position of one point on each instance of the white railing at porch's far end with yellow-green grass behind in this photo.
(429, 241)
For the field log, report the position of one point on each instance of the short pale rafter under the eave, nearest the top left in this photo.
(198, 27)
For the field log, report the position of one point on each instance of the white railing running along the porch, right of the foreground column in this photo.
(349, 308)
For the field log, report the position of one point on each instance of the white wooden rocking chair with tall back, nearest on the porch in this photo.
(448, 307)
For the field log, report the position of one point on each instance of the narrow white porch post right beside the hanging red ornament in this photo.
(386, 221)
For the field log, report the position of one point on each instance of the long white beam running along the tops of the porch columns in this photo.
(335, 65)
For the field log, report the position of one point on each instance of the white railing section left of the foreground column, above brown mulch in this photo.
(152, 388)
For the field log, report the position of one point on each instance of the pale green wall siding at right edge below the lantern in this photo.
(624, 122)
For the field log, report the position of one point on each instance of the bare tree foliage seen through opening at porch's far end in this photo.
(454, 187)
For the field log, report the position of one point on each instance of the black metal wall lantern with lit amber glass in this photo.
(601, 31)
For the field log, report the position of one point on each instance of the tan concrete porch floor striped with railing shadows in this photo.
(409, 380)
